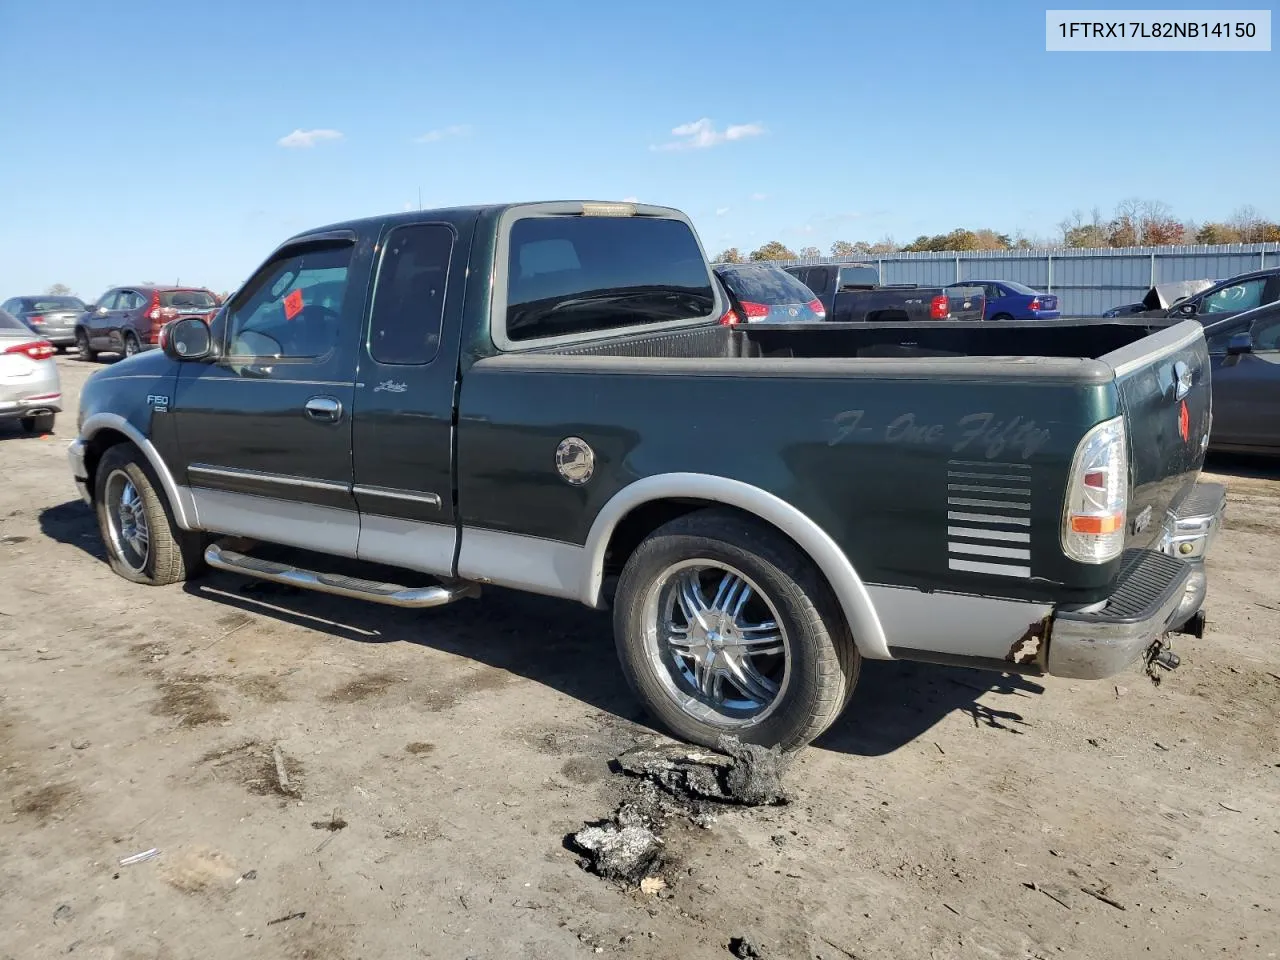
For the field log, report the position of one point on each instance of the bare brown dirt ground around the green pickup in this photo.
(333, 780)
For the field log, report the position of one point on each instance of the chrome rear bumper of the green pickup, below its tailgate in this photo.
(1158, 592)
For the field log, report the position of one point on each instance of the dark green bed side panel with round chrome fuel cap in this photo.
(874, 460)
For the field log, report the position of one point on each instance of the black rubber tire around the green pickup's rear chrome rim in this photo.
(822, 662)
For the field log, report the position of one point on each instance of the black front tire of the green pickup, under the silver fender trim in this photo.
(172, 555)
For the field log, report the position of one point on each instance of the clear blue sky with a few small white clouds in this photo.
(144, 140)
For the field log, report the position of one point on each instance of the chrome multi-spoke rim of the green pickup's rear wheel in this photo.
(716, 643)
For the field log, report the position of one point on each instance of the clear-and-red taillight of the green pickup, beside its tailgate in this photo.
(1098, 496)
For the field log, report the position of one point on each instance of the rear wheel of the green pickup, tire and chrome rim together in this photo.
(725, 628)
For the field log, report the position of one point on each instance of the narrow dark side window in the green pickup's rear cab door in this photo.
(409, 296)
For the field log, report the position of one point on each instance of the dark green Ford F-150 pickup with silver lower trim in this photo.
(550, 397)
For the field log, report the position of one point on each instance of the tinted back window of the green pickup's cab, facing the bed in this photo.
(589, 275)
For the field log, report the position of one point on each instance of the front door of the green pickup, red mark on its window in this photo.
(266, 431)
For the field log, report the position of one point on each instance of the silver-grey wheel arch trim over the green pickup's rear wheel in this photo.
(662, 497)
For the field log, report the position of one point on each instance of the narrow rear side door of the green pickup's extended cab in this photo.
(405, 399)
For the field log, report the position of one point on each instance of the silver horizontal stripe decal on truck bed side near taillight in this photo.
(989, 518)
